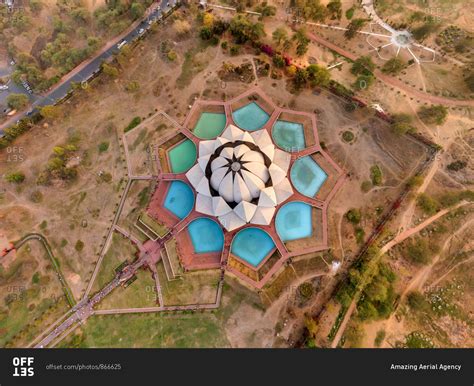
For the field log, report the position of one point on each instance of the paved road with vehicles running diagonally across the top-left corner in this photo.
(86, 69)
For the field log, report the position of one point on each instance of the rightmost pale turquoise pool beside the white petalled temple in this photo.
(307, 176)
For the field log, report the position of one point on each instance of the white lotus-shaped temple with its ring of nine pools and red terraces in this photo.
(244, 186)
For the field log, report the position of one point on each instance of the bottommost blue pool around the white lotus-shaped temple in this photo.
(252, 245)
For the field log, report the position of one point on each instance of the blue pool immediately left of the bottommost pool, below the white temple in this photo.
(206, 235)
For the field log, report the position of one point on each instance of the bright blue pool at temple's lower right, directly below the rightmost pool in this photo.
(293, 221)
